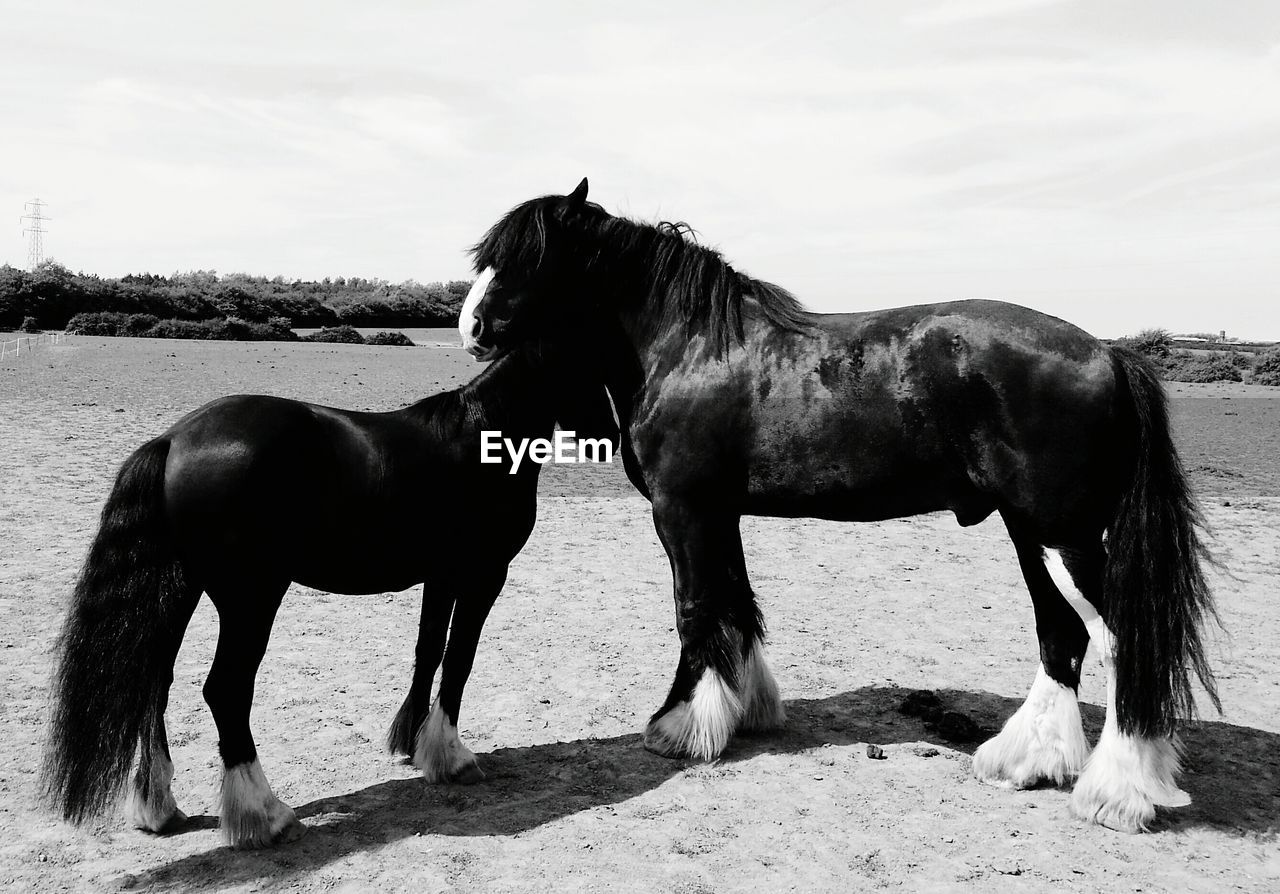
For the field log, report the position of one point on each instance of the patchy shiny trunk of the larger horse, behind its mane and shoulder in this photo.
(963, 405)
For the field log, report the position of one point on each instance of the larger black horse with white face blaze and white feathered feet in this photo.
(735, 400)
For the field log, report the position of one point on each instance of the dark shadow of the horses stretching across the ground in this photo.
(1233, 776)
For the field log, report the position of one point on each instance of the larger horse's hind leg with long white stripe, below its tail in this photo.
(1128, 776)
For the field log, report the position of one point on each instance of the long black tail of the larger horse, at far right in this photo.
(1155, 595)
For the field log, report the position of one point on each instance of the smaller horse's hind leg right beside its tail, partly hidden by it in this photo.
(152, 805)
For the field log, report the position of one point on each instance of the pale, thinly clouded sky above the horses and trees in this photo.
(1116, 163)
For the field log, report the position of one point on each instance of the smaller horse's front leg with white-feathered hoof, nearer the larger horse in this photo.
(440, 752)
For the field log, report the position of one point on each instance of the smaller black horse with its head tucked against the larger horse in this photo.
(250, 494)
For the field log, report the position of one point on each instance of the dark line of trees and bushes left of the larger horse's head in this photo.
(52, 295)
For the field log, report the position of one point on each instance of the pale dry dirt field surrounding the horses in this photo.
(580, 651)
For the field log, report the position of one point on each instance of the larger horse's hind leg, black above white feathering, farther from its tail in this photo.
(1044, 741)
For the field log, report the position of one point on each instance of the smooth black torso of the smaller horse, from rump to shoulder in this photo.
(339, 500)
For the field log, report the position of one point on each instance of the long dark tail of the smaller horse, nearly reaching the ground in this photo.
(117, 647)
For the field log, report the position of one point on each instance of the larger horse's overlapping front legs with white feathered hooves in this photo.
(723, 682)
